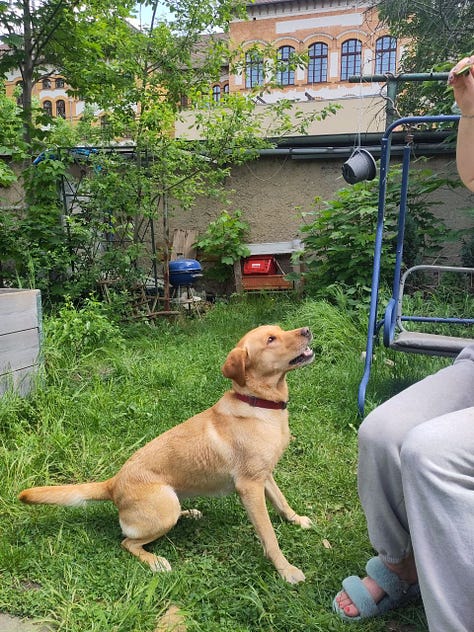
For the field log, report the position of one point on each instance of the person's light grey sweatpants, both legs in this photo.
(416, 485)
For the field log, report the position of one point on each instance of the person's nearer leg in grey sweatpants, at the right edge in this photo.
(438, 480)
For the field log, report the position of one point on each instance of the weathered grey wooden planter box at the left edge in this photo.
(20, 339)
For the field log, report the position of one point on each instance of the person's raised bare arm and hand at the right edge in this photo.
(463, 86)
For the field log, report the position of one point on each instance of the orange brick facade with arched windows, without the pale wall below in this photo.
(340, 37)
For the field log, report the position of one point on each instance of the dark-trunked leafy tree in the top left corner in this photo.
(52, 33)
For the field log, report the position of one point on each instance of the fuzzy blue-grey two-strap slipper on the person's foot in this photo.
(398, 592)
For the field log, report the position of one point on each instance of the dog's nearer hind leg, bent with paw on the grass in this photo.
(150, 513)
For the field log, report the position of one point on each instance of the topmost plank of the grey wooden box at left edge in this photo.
(18, 310)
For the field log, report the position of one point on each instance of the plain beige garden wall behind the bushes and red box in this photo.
(274, 192)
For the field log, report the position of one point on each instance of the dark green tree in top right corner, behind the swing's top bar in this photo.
(438, 33)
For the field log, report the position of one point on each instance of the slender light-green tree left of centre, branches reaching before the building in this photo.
(164, 64)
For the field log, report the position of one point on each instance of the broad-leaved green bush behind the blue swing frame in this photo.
(340, 235)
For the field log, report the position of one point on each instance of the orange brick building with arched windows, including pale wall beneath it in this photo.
(338, 39)
